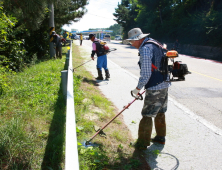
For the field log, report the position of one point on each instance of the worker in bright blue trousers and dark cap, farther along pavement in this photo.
(102, 57)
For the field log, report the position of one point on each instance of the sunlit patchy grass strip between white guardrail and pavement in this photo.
(94, 110)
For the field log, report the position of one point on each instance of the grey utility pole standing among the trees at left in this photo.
(51, 28)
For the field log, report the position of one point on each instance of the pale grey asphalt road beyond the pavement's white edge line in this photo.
(202, 90)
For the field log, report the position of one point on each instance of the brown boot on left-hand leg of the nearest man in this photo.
(144, 133)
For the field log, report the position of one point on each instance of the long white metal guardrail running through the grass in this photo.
(71, 151)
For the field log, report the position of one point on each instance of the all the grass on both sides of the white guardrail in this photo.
(32, 126)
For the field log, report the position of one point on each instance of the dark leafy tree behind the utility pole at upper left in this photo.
(33, 21)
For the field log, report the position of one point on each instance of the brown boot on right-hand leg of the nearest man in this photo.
(160, 126)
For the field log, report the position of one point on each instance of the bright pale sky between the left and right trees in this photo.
(99, 15)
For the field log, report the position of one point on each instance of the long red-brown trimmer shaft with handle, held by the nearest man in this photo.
(100, 131)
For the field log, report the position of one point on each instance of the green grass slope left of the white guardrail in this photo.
(32, 114)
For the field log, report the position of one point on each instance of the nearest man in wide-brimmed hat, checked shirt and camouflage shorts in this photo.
(156, 97)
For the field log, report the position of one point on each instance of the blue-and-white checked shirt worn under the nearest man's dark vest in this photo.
(146, 68)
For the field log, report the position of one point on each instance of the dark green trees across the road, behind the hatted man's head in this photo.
(191, 22)
